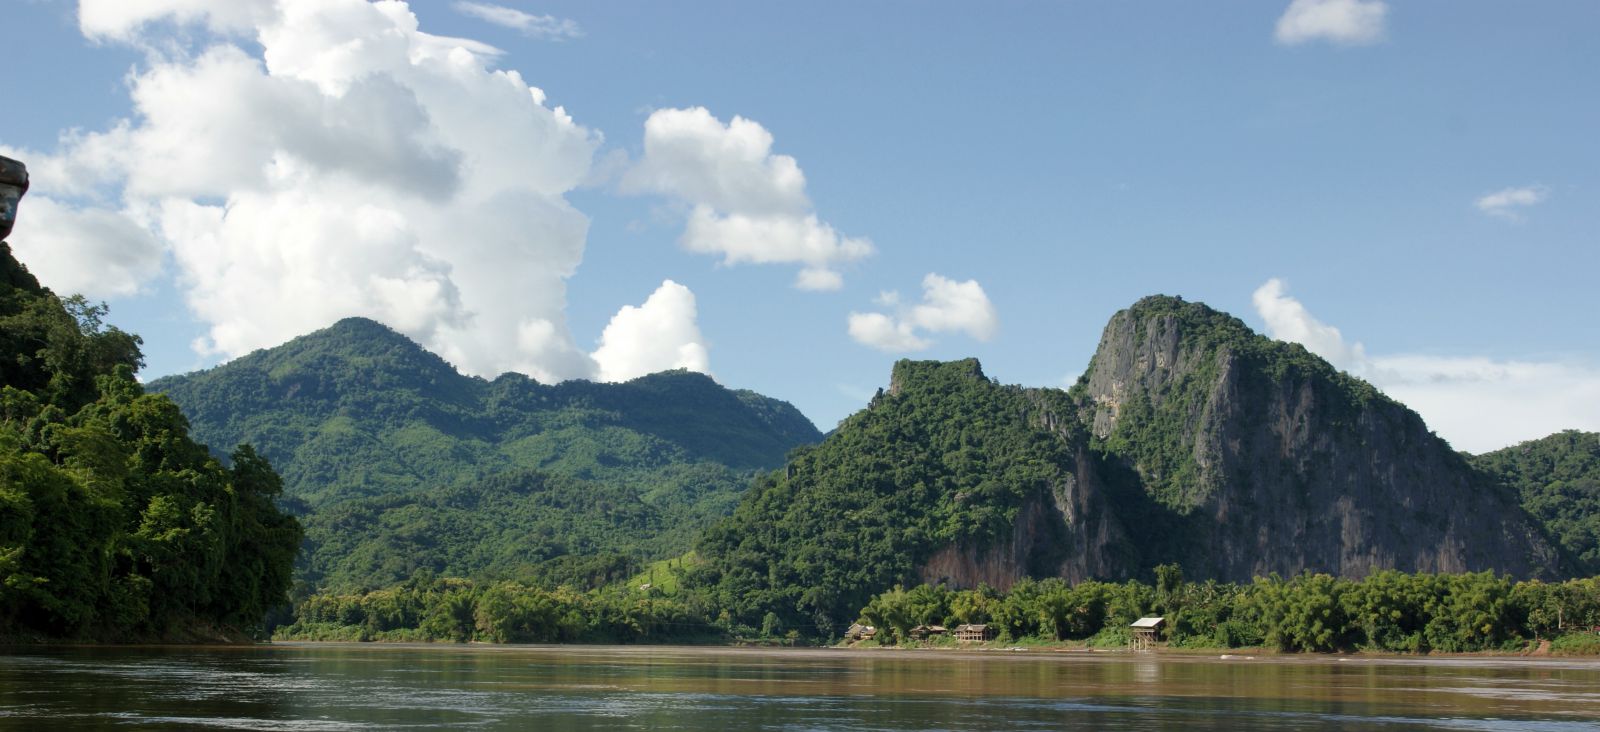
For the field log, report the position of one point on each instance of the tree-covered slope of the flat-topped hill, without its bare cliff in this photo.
(946, 456)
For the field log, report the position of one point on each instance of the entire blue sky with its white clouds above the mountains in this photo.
(1410, 189)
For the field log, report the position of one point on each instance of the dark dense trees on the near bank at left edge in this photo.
(116, 525)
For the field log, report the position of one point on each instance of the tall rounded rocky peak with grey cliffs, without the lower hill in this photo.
(1271, 461)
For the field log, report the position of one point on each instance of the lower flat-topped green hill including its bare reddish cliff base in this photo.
(945, 477)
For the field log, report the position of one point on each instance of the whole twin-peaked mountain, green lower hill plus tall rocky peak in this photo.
(1190, 440)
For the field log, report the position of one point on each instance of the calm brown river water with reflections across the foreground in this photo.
(359, 688)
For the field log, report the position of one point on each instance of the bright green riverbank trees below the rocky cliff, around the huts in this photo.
(1310, 613)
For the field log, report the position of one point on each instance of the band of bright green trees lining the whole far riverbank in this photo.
(1311, 613)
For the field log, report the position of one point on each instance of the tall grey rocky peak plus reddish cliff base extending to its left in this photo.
(1207, 445)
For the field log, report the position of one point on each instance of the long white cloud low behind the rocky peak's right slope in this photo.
(1478, 404)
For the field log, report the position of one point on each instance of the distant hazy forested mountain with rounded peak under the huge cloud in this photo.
(377, 437)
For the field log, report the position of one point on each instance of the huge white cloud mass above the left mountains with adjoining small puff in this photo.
(356, 165)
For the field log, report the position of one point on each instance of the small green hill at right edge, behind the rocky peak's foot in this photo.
(1558, 479)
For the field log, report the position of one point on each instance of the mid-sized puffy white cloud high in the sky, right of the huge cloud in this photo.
(750, 205)
